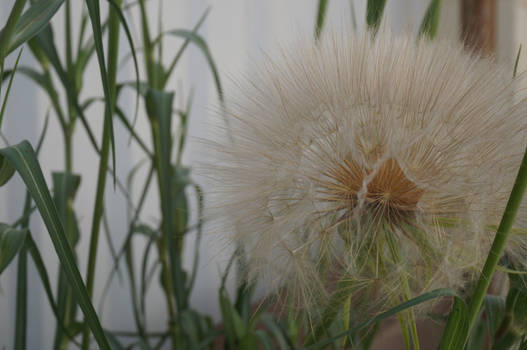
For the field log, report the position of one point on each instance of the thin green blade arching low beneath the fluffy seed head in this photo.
(393, 311)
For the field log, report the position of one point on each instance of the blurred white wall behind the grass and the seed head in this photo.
(236, 31)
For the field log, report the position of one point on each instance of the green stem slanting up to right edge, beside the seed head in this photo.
(498, 245)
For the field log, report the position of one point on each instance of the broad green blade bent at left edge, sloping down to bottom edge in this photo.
(23, 158)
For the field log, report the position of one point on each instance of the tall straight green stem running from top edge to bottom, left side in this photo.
(113, 46)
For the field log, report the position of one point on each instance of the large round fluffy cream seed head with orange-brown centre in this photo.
(381, 163)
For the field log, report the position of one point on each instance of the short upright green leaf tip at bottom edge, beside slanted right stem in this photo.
(456, 328)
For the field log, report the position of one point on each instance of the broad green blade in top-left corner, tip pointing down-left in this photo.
(33, 21)
